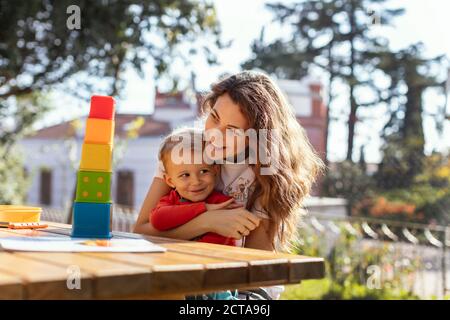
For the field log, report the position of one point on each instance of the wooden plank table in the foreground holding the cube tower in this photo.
(185, 268)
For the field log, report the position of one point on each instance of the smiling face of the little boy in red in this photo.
(193, 182)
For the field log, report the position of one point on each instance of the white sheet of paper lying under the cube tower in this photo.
(48, 244)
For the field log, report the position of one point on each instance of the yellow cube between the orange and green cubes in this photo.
(96, 157)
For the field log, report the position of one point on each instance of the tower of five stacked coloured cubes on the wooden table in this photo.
(92, 209)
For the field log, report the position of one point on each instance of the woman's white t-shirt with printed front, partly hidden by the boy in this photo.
(236, 180)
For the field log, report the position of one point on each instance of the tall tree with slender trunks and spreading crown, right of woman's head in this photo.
(333, 36)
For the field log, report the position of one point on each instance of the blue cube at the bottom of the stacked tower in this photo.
(91, 220)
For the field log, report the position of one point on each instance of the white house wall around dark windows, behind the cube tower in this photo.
(140, 157)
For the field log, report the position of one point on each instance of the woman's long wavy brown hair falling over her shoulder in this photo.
(297, 166)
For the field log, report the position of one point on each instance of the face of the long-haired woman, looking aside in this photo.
(225, 129)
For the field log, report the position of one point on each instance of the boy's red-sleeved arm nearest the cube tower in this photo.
(167, 215)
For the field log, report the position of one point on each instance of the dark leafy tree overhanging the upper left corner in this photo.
(38, 51)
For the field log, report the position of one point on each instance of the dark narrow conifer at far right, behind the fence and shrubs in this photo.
(410, 76)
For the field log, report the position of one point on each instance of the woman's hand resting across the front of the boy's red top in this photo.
(233, 223)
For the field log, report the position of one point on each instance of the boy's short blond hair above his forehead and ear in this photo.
(189, 138)
